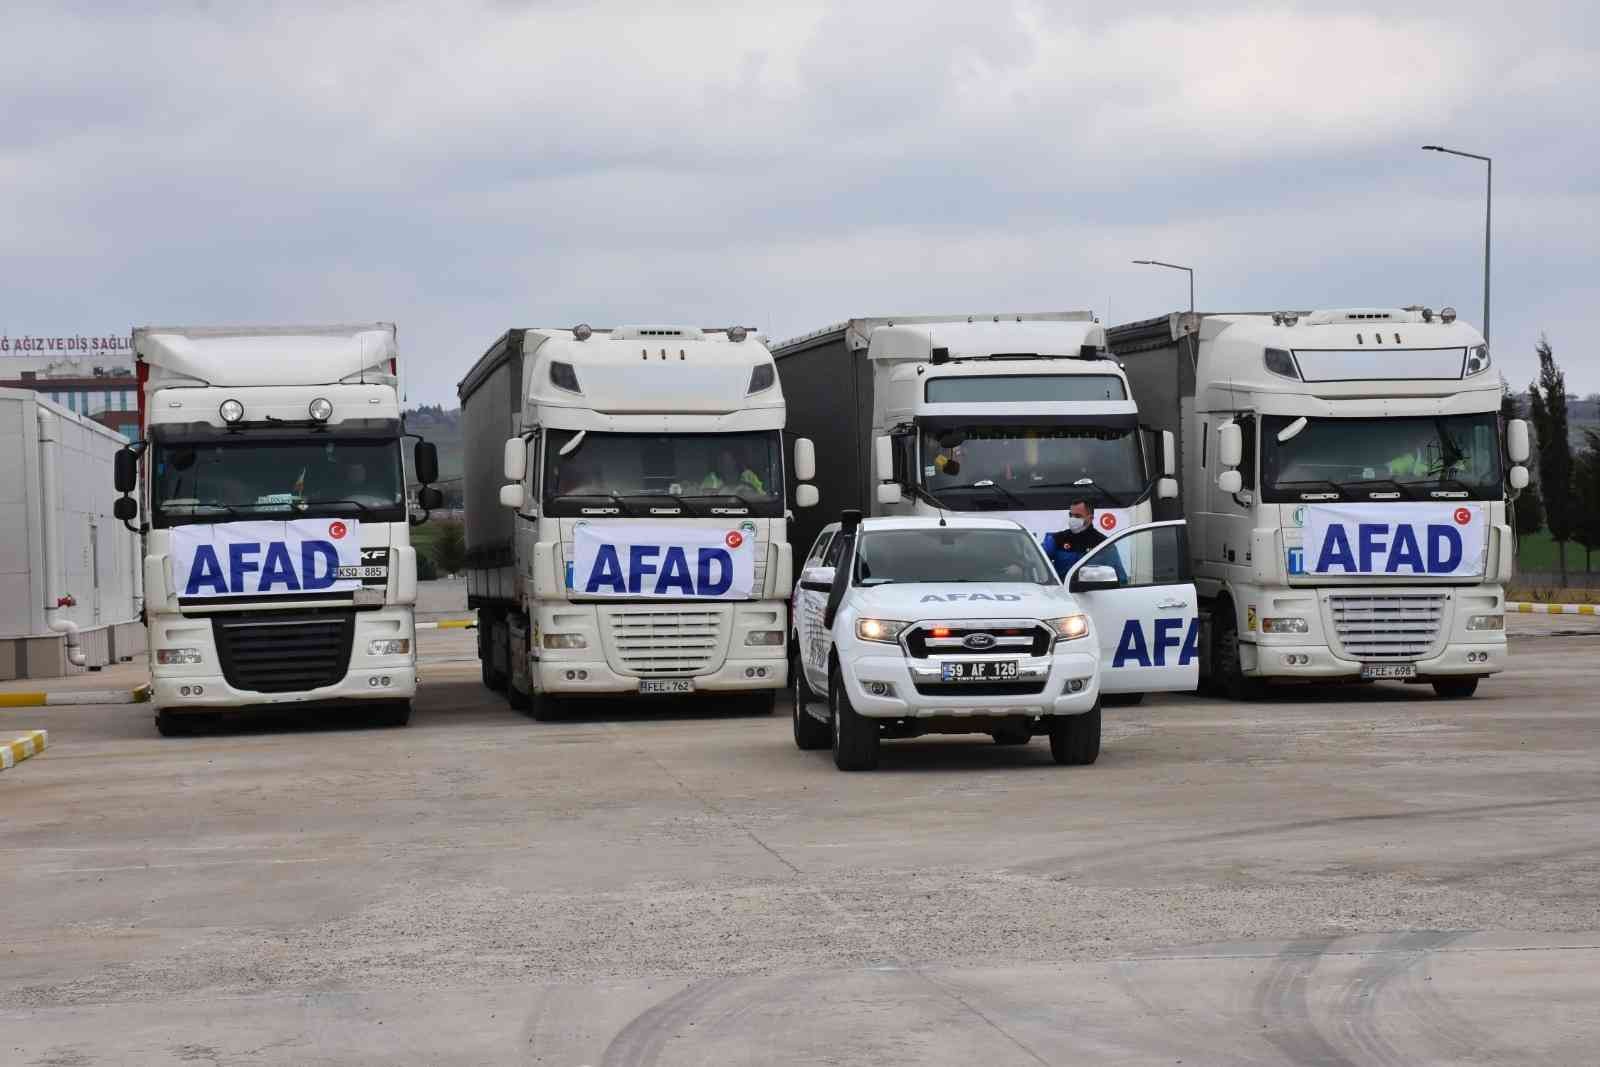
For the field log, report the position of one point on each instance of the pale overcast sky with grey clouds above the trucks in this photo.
(462, 170)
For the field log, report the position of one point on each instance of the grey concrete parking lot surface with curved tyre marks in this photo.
(1342, 877)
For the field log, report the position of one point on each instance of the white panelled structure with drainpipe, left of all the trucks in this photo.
(70, 572)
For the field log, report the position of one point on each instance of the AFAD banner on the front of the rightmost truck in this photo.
(1396, 540)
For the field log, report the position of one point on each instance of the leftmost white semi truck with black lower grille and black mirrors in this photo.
(278, 556)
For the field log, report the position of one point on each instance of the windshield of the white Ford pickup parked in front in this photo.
(950, 556)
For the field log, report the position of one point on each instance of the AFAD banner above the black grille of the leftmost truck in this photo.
(268, 559)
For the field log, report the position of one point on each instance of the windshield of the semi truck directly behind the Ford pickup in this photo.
(988, 468)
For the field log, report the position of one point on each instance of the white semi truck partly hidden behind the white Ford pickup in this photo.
(1015, 417)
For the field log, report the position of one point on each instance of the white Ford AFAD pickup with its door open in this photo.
(910, 626)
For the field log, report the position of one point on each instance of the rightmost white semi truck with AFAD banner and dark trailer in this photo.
(1345, 476)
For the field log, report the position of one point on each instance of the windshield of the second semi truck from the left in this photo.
(665, 474)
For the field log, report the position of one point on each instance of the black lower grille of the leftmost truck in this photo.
(282, 652)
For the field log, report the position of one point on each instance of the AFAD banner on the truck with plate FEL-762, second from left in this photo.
(663, 561)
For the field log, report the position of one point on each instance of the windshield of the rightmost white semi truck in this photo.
(1455, 457)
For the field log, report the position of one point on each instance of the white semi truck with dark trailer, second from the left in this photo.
(626, 514)
